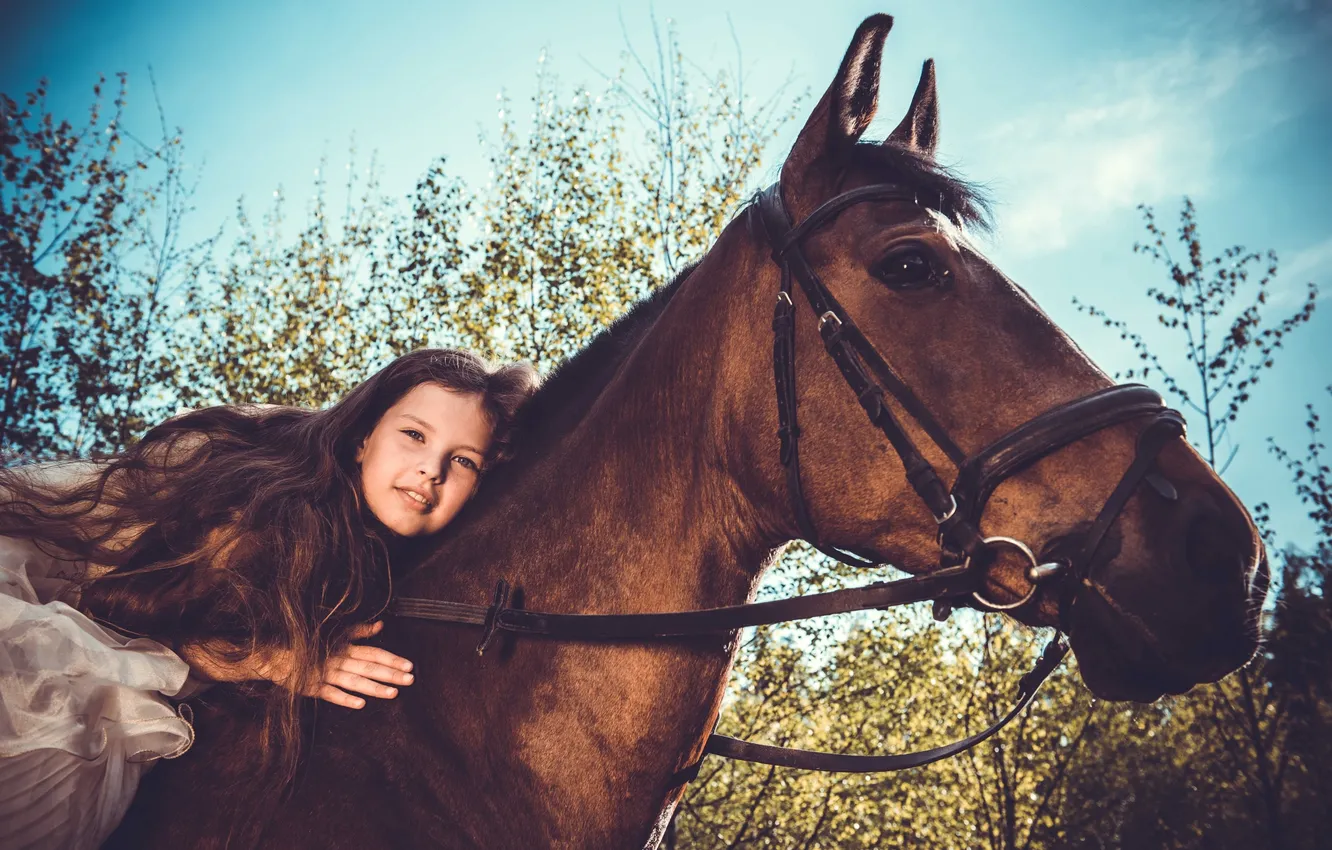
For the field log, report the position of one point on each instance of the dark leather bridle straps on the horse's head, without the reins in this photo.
(958, 511)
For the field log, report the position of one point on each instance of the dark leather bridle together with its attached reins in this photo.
(965, 552)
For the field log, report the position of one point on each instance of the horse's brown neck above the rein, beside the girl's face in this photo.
(636, 507)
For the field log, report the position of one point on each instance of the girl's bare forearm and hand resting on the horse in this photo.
(362, 669)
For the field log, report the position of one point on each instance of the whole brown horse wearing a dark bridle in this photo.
(649, 480)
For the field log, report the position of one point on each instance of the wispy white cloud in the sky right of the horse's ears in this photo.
(1133, 131)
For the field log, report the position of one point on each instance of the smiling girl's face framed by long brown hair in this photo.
(423, 460)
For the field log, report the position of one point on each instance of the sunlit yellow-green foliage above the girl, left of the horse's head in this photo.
(564, 238)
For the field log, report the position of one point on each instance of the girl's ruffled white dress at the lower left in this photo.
(83, 711)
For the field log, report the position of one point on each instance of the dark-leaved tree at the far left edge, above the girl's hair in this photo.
(90, 263)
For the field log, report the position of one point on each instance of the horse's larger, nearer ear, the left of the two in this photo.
(845, 111)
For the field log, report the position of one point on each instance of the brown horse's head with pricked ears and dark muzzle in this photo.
(1170, 595)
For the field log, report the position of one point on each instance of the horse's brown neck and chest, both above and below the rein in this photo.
(635, 510)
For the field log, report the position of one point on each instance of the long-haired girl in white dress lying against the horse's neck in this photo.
(235, 544)
